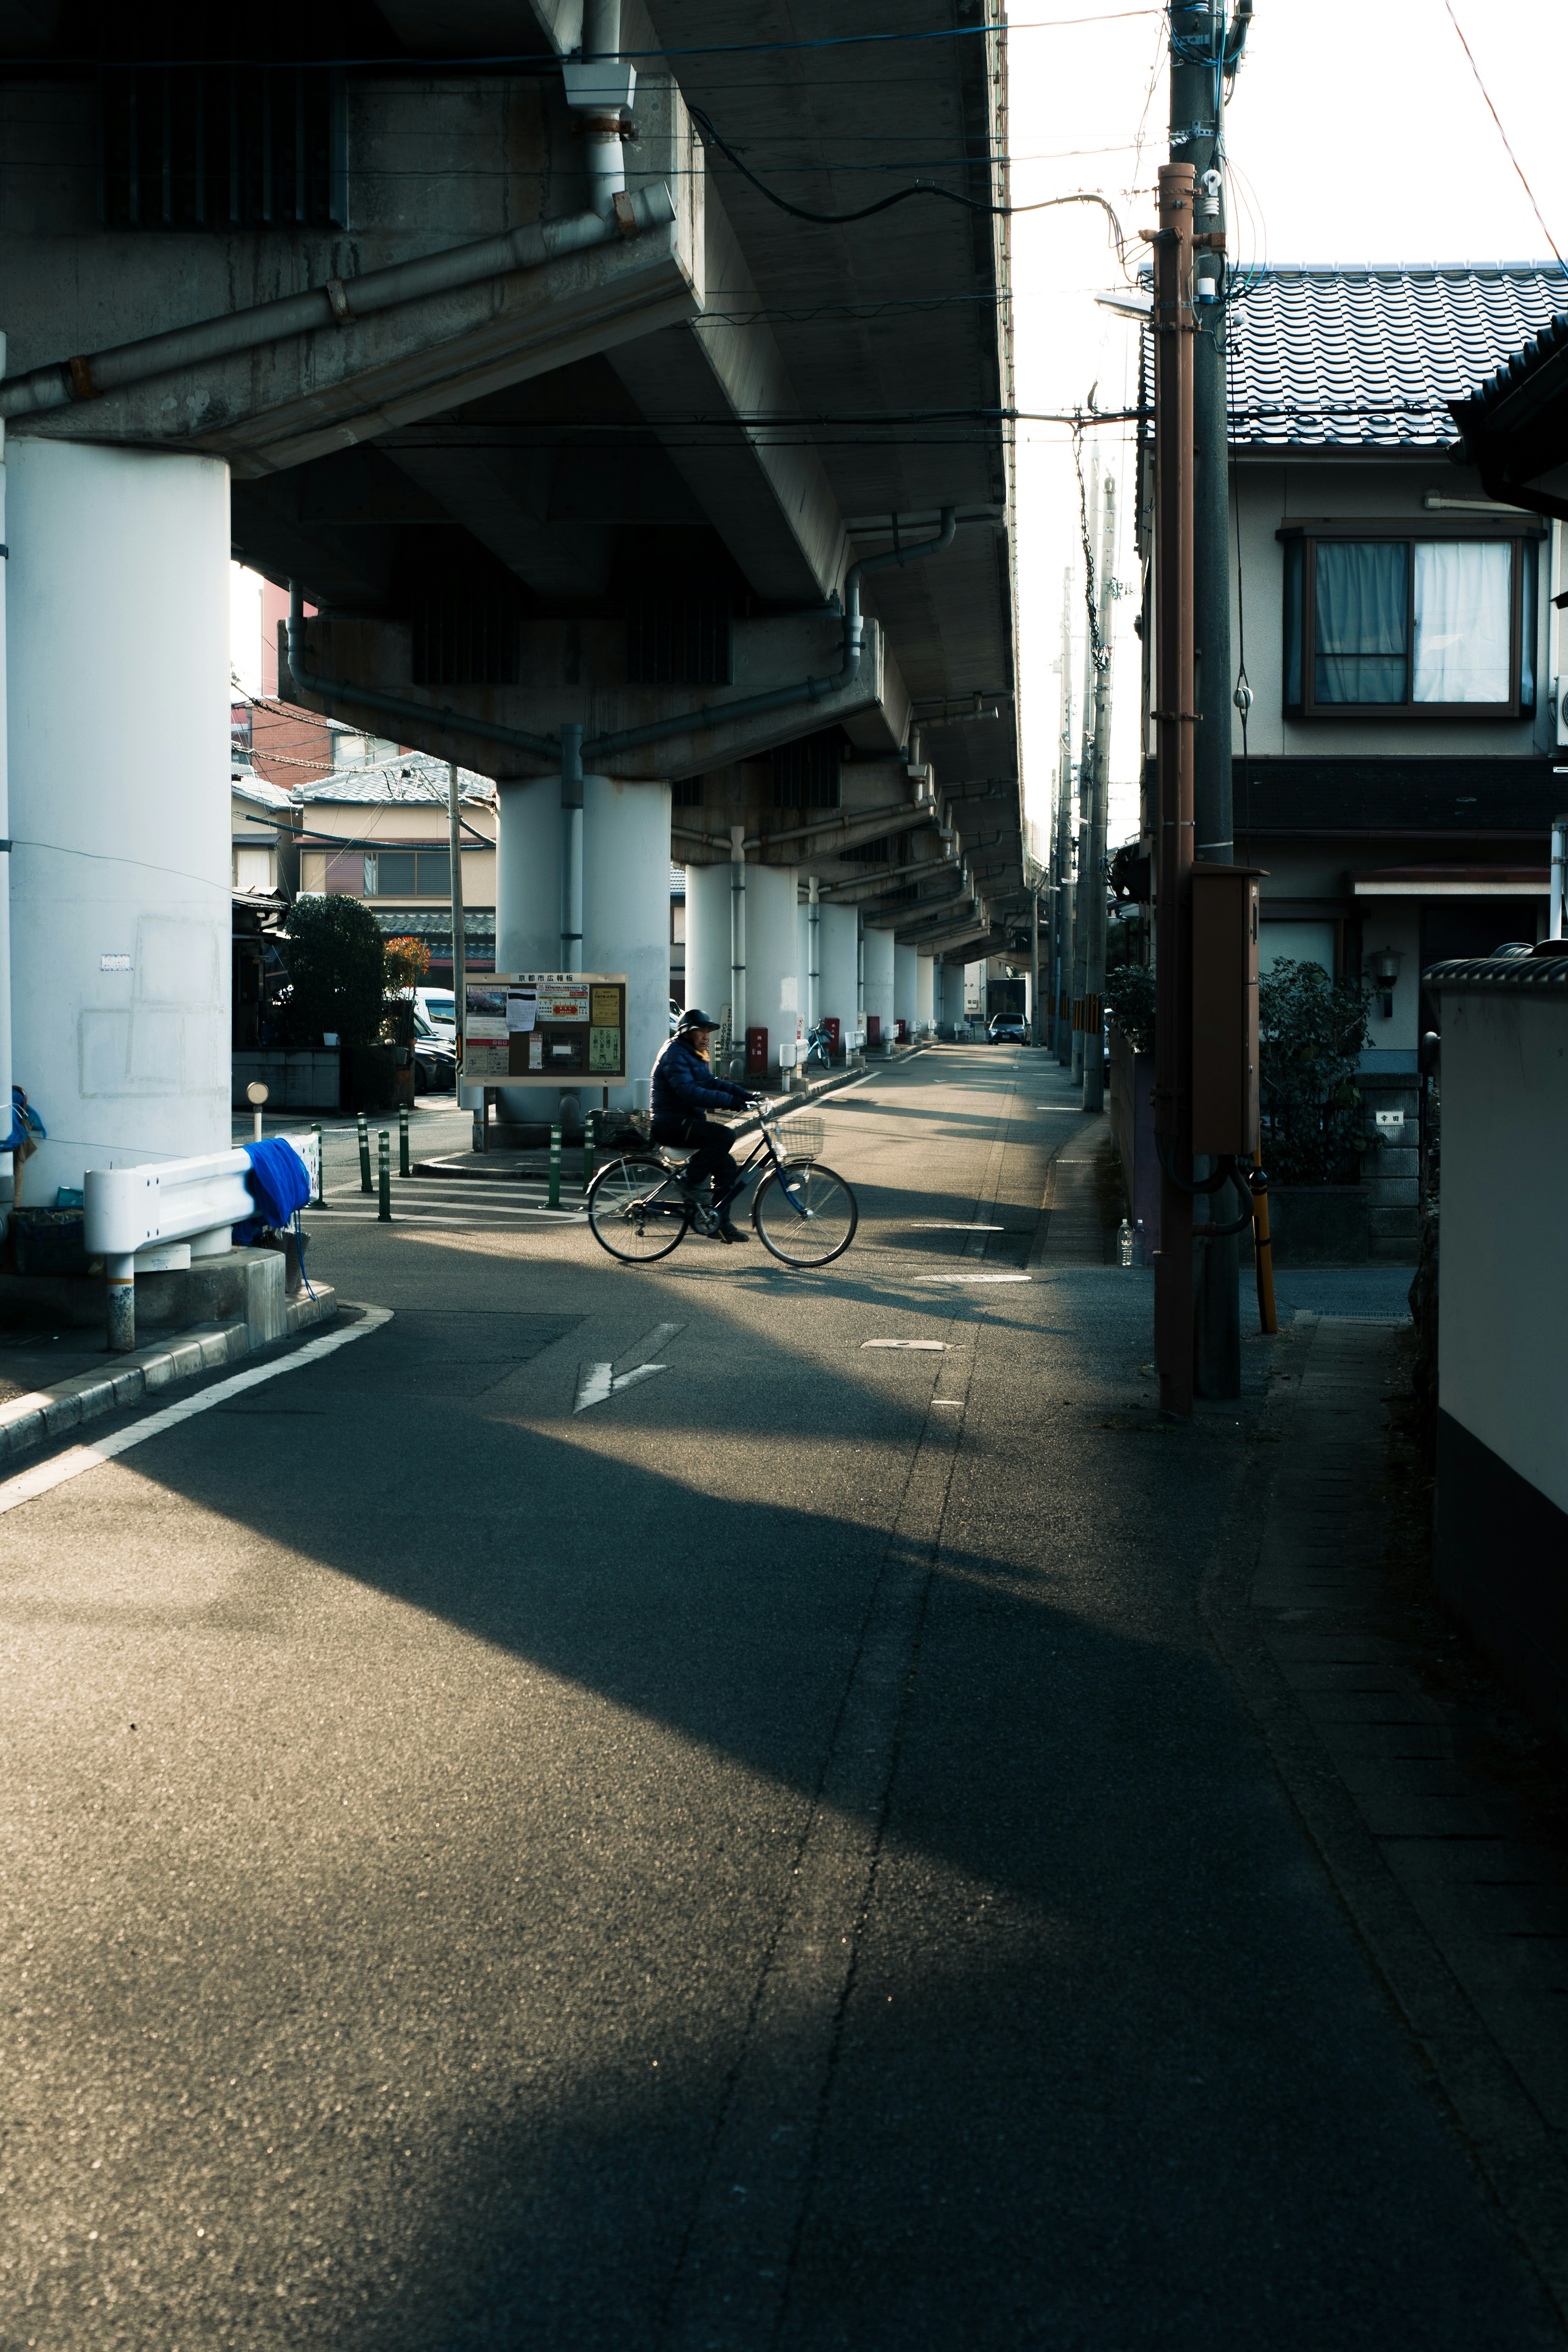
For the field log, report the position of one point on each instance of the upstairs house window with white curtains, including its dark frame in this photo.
(1383, 622)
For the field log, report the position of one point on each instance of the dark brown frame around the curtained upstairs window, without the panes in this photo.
(1515, 533)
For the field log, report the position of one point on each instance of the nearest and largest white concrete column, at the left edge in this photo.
(119, 803)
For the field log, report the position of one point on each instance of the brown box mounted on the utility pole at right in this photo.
(1226, 1008)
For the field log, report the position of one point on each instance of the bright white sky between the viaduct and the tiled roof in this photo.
(1355, 135)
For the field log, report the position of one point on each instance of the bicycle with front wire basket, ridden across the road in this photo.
(803, 1215)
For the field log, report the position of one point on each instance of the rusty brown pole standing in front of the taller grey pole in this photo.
(1174, 744)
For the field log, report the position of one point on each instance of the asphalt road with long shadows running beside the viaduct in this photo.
(768, 1859)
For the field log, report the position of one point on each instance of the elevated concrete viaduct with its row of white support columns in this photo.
(591, 465)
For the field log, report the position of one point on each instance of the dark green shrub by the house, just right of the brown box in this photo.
(1311, 1034)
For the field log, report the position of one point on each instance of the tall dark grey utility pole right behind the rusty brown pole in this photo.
(1202, 55)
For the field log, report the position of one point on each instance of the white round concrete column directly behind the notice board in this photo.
(626, 914)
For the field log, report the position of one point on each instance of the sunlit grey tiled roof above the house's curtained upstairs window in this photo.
(1369, 359)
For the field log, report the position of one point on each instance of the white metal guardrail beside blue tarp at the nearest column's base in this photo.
(163, 1215)
